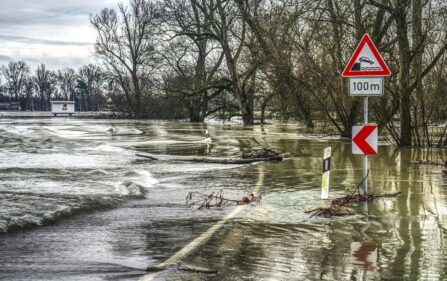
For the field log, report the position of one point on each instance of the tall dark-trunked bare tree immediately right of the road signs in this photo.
(410, 51)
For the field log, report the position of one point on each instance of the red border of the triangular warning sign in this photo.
(347, 72)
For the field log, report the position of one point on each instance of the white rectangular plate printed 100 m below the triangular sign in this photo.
(366, 86)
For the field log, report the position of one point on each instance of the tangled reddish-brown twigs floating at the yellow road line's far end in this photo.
(216, 199)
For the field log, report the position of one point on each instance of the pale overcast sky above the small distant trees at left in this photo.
(55, 32)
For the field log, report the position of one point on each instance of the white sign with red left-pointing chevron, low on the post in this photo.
(364, 139)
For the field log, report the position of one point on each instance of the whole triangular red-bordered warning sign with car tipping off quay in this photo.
(366, 61)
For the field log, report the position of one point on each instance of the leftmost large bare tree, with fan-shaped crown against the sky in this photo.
(125, 43)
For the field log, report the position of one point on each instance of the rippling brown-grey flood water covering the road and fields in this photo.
(76, 203)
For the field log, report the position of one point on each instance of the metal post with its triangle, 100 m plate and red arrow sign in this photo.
(365, 69)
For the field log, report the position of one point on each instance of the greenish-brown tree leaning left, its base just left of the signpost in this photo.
(273, 29)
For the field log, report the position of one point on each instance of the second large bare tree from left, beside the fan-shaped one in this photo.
(195, 61)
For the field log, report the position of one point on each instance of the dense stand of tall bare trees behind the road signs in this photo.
(281, 58)
